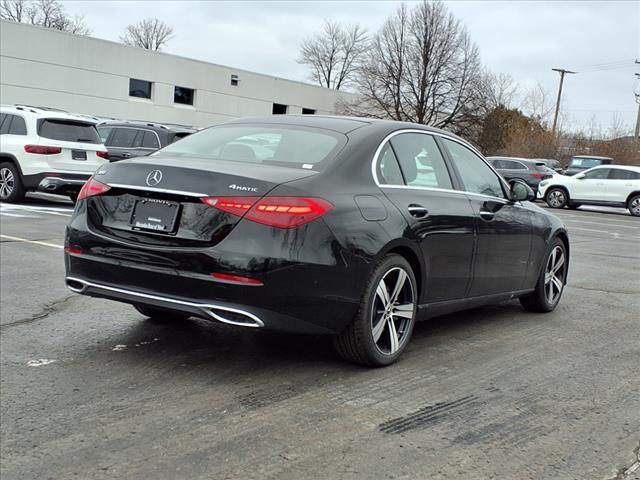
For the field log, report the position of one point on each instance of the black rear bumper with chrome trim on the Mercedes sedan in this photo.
(307, 288)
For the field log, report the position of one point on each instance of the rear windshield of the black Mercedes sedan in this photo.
(280, 145)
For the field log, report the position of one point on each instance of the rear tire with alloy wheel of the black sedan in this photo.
(382, 328)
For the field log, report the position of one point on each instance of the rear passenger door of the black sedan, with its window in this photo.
(414, 176)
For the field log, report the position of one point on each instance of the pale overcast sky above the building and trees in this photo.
(523, 39)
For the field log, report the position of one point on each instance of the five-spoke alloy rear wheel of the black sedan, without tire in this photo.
(393, 310)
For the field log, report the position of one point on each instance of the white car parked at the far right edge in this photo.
(607, 185)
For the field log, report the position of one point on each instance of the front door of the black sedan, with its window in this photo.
(504, 228)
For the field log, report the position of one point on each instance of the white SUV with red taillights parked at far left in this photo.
(46, 150)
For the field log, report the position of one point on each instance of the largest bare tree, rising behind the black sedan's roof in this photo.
(423, 67)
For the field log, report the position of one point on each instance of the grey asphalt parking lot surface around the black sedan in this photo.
(90, 389)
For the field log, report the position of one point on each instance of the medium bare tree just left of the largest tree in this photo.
(334, 54)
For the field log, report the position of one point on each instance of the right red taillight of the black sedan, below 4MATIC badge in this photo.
(282, 212)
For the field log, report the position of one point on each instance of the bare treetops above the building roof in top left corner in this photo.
(45, 13)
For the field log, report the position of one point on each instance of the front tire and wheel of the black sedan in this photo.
(550, 284)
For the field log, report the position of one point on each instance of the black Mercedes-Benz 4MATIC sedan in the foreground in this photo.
(350, 227)
